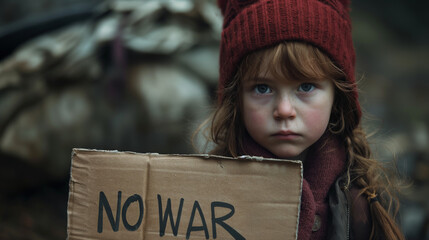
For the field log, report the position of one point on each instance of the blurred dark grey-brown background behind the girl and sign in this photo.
(141, 75)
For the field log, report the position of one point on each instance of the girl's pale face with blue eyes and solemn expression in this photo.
(286, 116)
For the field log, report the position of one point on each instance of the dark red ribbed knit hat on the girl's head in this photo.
(250, 25)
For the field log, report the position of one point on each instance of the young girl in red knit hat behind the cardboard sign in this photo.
(287, 90)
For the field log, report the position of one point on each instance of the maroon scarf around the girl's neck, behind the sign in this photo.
(324, 163)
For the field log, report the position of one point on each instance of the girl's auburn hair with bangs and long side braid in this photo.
(301, 61)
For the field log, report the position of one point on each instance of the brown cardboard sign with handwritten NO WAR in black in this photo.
(122, 195)
